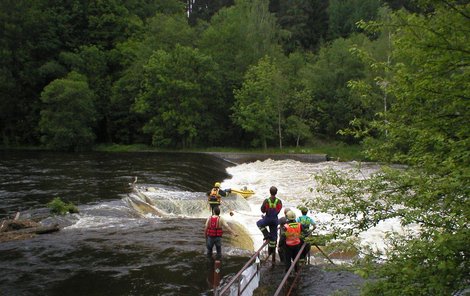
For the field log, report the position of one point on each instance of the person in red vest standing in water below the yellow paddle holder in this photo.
(213, 231)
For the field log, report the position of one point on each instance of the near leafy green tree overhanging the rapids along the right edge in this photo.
(427, 131)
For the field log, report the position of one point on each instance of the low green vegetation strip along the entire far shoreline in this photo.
(321, 152)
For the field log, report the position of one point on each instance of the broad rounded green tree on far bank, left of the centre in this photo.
(178, 88)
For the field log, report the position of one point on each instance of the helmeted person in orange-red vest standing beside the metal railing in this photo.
(293, 237)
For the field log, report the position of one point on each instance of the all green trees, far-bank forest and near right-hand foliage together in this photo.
(392, 76)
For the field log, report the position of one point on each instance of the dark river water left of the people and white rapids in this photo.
(107, 249)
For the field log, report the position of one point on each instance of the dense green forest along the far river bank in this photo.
(188, 74)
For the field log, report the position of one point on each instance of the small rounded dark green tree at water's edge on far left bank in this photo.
(68, 114)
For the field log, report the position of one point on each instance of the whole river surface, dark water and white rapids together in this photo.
(113, 248)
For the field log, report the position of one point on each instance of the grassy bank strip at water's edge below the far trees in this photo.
(335, 151)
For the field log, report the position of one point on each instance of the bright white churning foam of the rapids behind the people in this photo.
(294, 181)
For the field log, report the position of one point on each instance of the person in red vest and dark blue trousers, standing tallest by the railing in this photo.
(270, 208)
